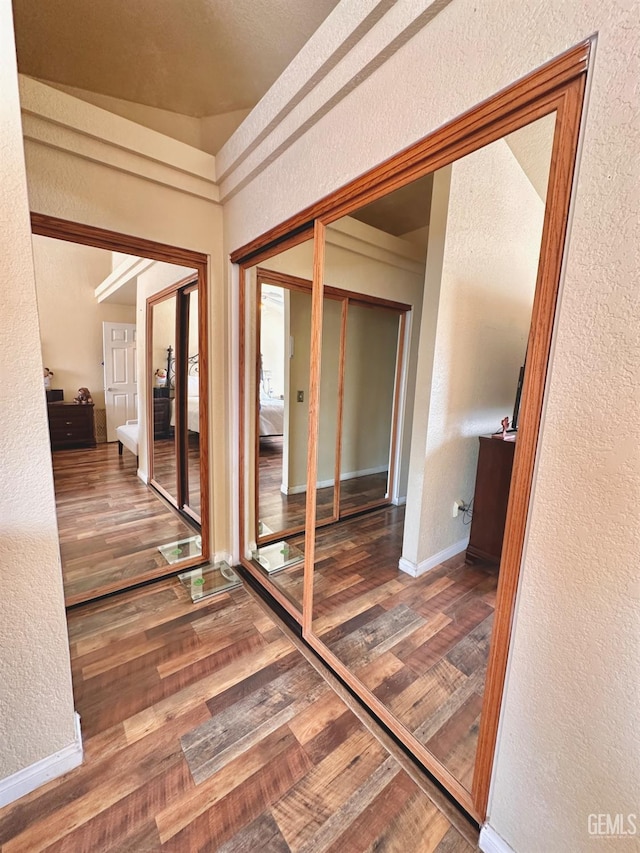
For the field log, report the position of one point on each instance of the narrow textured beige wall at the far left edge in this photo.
(36, 702)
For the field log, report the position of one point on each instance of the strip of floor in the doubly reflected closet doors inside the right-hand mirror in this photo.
(286, 512)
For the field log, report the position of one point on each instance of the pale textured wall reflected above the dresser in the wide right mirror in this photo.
(489, 265)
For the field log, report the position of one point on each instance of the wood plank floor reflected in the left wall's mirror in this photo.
(110, 524)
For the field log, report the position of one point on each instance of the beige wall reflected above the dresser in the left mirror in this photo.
(70, 316)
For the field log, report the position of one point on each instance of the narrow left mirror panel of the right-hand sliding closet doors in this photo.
(276, 357)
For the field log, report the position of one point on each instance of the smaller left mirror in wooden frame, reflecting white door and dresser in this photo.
(127, 464)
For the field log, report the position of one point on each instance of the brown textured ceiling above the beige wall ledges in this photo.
(193, 57)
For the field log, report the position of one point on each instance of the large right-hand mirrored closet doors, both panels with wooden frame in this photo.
(427, 332)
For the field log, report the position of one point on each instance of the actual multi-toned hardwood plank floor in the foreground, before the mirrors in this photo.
(205, 729)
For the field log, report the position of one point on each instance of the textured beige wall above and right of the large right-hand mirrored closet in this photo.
(568, 738)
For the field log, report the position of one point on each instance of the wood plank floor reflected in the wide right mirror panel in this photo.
(421, 645)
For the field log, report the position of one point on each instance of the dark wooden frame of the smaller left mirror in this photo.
(114, 241)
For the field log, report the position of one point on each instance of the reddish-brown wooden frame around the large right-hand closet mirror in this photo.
(557, 87)
